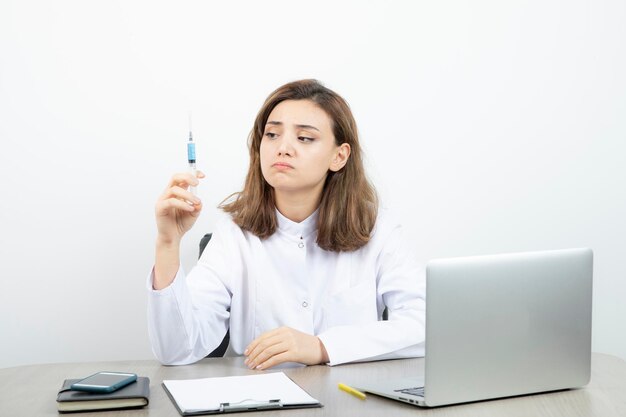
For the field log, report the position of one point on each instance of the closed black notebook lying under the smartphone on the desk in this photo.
(134, 395)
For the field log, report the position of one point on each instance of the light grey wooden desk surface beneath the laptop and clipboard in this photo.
(31, 390)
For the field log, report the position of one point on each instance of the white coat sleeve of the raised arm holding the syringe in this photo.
(188, 319)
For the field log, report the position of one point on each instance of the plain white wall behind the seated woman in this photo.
(489, 126)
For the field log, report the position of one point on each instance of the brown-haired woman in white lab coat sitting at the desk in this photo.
(305, 264)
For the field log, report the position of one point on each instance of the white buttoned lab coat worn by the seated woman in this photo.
(255, 285)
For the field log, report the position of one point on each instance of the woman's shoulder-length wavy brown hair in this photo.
(349, 204)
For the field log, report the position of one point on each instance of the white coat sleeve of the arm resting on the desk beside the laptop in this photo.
(401, 282)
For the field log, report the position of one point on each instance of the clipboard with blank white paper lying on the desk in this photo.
(235, 394)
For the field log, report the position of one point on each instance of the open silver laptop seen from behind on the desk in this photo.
(502, 325)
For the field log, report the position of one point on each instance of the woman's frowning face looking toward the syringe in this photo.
(298, 147)
